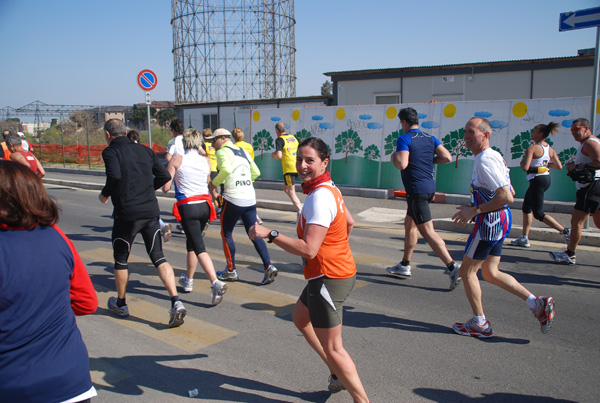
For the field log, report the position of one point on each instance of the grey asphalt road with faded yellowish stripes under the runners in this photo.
(399, 332)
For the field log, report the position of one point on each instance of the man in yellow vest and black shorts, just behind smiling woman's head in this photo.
(285, 150)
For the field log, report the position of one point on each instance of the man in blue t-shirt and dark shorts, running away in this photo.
(416, 152)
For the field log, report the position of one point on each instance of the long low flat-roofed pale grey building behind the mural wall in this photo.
(516, 79)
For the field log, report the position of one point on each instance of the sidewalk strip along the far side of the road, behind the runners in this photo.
(372, 206)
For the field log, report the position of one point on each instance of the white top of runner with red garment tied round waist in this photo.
(191, 178)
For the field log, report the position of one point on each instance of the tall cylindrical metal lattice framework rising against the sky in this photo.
(229, 50)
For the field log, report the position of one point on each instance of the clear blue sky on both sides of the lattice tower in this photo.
(86, 52)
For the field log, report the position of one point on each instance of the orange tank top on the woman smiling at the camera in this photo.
(334, 259)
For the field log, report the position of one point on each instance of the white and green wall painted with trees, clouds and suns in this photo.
(362, 138)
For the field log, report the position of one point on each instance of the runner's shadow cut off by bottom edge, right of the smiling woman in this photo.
(441, 395)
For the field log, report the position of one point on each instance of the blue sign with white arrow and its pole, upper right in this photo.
(590, 17)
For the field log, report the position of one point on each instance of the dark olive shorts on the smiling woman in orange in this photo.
(324, 298)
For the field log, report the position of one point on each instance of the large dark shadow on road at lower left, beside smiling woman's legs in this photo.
(132, 375)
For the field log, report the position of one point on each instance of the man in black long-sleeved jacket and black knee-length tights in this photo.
(133, 173)
